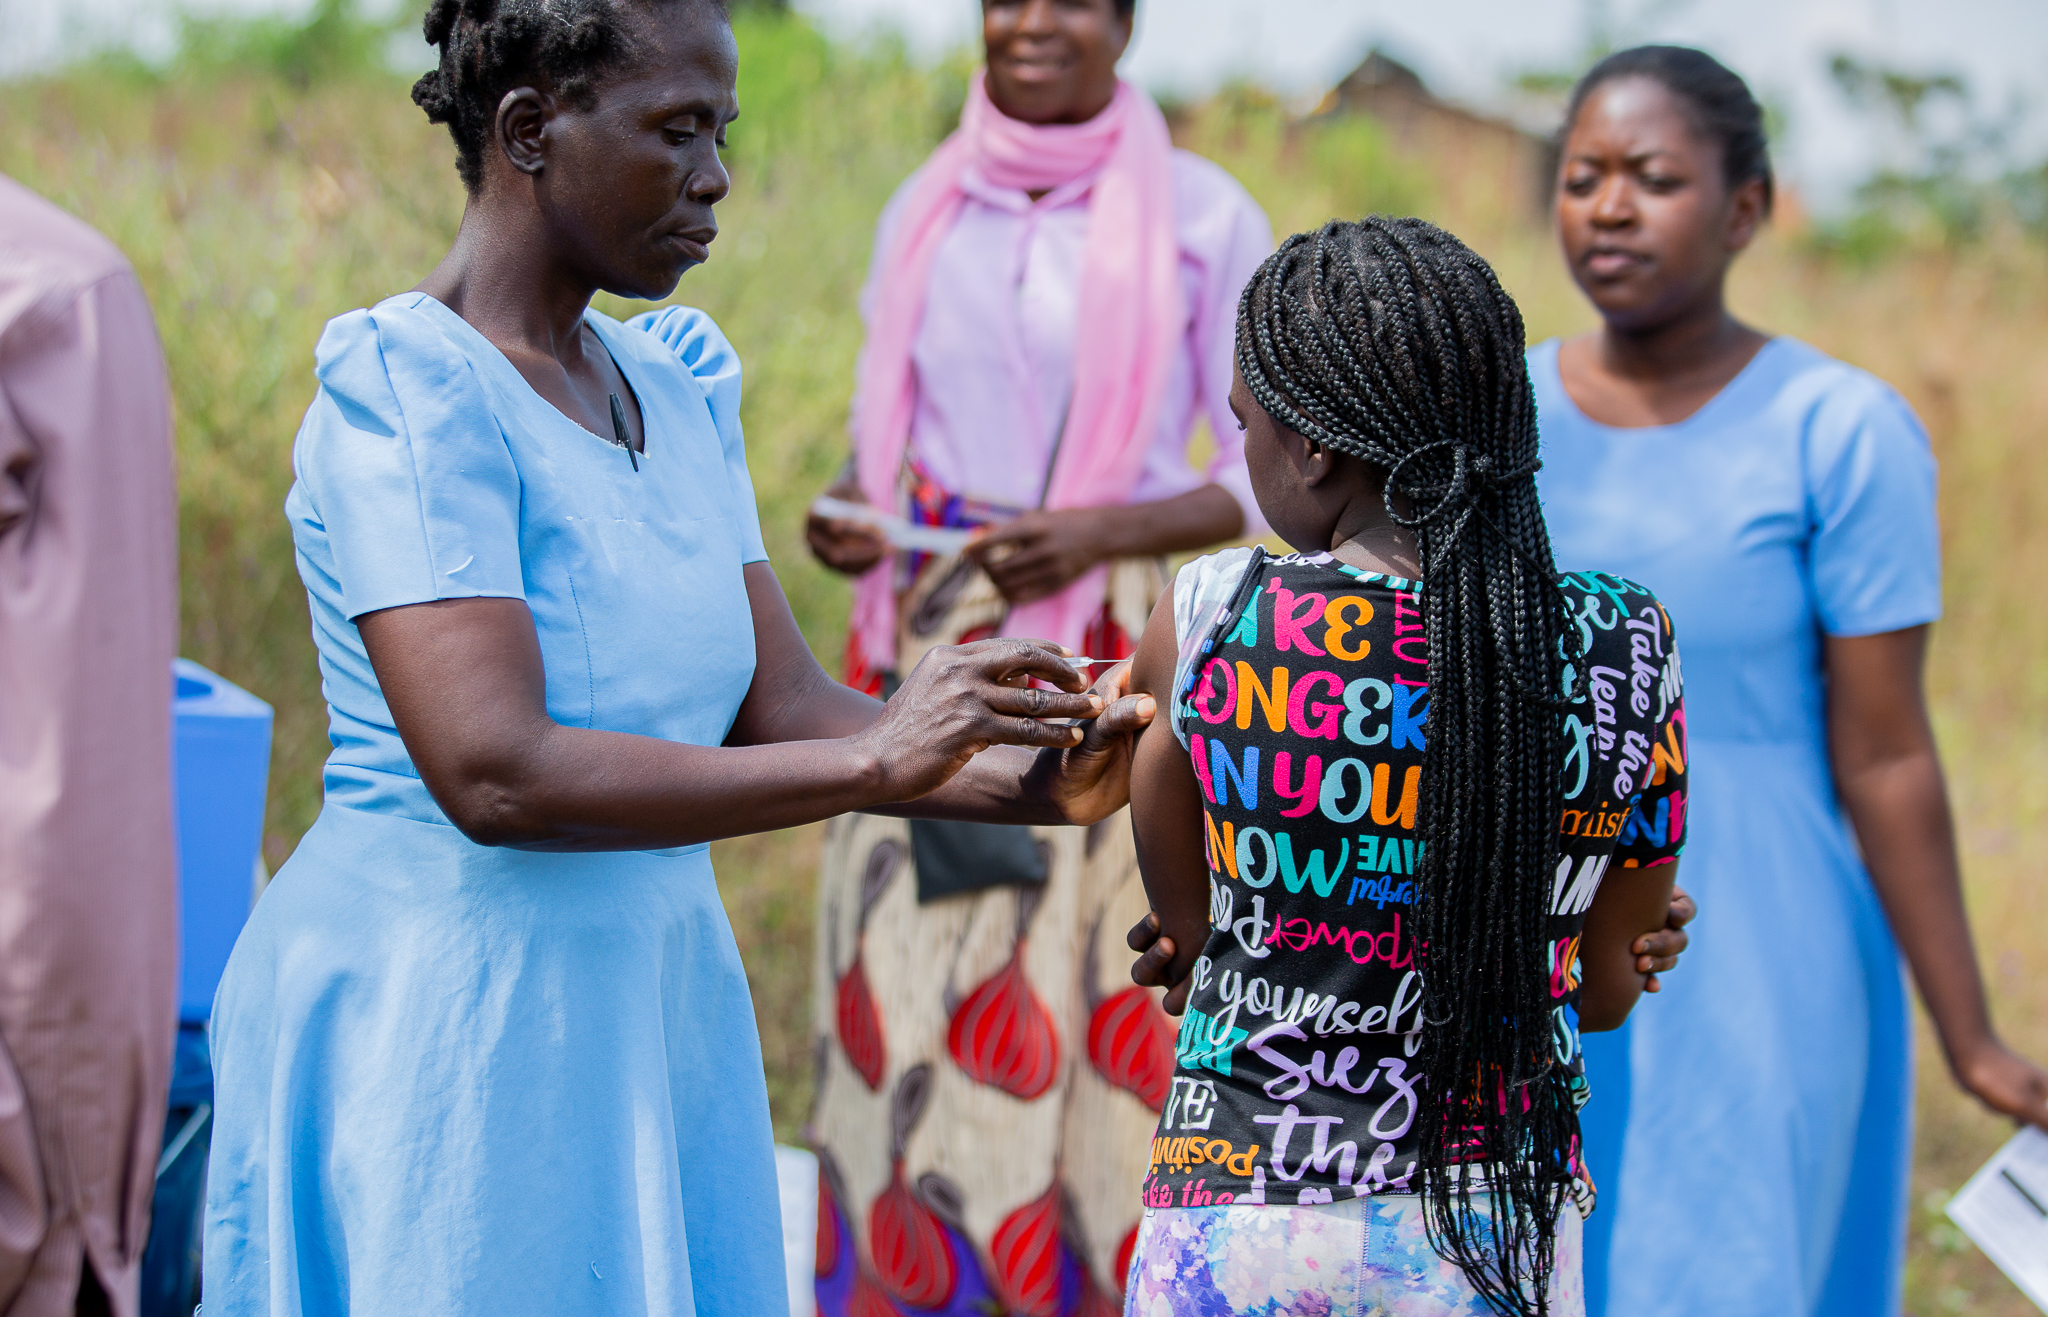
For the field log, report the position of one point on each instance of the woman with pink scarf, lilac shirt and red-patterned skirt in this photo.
(1050, 312)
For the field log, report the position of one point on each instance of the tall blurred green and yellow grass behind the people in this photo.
(280, 175)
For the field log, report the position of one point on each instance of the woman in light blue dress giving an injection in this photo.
(486, 1044)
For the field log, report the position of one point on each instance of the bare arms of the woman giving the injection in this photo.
(468, 691)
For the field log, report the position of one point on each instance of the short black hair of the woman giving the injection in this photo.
(493, 46)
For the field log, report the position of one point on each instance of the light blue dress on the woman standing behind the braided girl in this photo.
(1752, 1125)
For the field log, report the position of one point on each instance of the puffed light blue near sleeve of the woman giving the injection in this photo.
(407, 468)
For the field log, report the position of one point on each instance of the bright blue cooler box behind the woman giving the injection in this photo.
(224, 773)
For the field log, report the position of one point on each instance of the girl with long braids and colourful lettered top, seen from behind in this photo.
(1416, 808)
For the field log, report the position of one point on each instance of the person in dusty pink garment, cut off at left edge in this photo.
(89, 579)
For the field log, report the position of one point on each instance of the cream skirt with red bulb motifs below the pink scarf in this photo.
(988, 1076)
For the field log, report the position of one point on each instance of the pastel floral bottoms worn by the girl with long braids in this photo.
(1353, 1259)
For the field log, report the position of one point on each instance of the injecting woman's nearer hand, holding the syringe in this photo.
(962, 699)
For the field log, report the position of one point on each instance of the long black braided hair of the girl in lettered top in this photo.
(1394, 343)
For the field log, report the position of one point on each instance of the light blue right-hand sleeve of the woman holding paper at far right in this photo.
(1871, 503)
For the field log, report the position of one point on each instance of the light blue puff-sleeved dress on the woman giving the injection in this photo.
(468, 1080)
